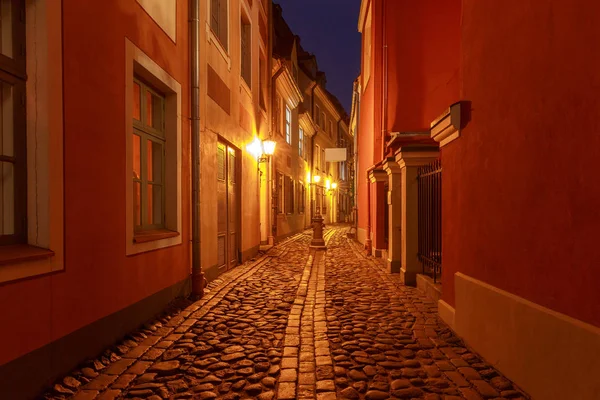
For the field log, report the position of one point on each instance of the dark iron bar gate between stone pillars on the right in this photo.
(430, 218)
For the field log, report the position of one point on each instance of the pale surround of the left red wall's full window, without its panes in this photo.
(138, 63)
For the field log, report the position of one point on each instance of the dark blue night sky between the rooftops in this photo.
(327, 28)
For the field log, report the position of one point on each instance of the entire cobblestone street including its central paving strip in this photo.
(294, 325)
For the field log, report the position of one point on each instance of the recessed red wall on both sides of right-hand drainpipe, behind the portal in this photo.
(423, 57)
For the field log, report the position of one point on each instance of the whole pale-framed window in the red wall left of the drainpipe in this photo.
(154, 159)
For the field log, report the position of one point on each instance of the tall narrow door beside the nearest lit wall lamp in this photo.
(228, 207)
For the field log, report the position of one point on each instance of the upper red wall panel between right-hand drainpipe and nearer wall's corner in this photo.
(423, 39)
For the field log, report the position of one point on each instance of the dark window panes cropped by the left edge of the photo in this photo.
(13, 132)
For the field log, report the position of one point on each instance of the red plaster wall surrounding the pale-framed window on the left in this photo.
(98, 279)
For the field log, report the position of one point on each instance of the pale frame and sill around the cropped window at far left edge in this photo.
(45, 132)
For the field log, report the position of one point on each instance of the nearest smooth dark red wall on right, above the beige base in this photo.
(521, 186)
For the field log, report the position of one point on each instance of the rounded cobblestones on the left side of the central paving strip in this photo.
(228, 345)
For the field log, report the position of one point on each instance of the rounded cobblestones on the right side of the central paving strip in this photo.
(388, 342)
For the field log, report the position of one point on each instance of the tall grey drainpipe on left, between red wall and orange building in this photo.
(198, 280)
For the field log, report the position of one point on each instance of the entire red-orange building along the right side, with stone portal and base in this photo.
(468, 85)
